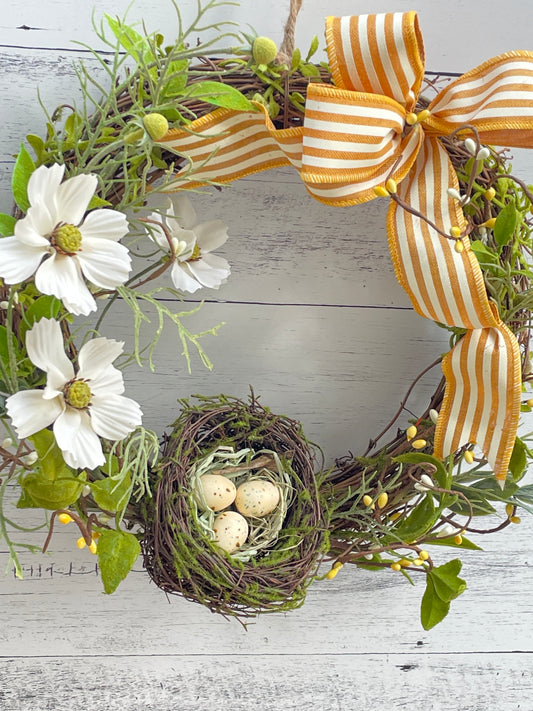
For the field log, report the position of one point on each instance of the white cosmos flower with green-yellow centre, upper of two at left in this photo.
(56, 244)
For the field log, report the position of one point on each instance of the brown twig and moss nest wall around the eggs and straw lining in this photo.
(181, 558)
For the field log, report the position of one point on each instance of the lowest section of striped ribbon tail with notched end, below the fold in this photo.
(482, 396)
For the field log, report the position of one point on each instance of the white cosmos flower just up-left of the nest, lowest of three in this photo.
(82, 405)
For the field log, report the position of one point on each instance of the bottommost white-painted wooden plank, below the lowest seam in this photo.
(330, 682)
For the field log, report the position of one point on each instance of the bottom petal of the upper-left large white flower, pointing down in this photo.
(60, 275)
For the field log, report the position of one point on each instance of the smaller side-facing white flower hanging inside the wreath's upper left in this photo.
(192, 244)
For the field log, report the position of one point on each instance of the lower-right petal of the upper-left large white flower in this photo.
(104, 262)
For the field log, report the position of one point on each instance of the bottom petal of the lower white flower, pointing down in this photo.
(77, 440)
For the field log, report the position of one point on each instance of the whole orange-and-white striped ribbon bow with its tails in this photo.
(363, 131)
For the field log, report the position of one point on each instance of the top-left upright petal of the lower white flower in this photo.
(44, 343)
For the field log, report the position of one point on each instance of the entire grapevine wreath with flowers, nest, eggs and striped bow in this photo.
(232, 507)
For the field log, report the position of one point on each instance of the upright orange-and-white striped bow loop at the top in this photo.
(377, 54)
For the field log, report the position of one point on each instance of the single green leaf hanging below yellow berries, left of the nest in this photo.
(117, 553)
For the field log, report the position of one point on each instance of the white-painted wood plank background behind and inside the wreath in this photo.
(316, 322)
